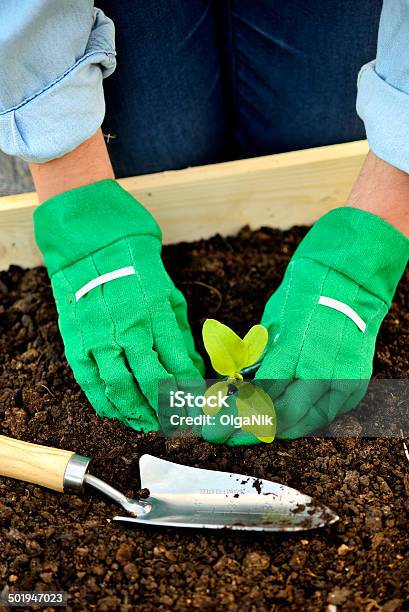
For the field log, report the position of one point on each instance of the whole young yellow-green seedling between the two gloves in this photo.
(230, 355)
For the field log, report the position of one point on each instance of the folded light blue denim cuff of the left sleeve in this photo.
(66, 111)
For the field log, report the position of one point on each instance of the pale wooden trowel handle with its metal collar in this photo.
(49, 467)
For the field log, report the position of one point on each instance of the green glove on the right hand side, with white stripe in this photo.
(324, 319)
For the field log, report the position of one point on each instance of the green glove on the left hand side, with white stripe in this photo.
(123, 321)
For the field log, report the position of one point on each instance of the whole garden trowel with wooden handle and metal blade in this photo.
(175, 495)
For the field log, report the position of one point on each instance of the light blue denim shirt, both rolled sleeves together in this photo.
(54, 55)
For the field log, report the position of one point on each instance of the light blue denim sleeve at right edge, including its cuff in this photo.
(383, 88)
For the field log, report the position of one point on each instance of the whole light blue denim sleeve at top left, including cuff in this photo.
(53, 58)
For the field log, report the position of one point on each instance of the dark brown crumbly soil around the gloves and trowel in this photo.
(54, 541)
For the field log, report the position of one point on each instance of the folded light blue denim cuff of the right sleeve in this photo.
(385, 111)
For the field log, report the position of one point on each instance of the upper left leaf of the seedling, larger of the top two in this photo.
(226, 350)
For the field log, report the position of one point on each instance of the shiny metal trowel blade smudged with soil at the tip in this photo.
(182, 496)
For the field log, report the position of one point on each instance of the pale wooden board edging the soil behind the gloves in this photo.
(276, 190)
